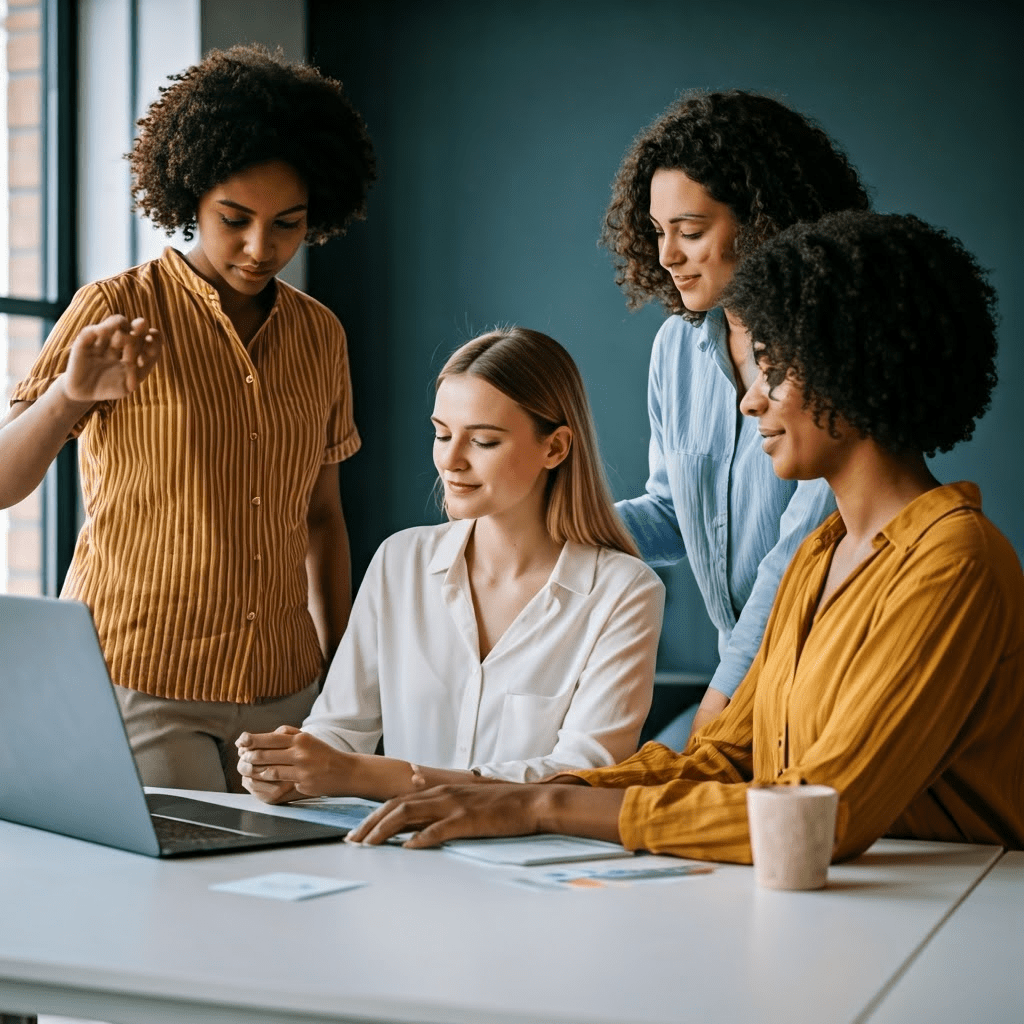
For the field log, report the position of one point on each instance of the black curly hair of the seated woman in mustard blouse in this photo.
(884, 321)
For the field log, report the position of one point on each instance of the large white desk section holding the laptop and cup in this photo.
(97, 933)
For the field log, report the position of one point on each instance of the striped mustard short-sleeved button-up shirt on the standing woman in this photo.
(197, 487)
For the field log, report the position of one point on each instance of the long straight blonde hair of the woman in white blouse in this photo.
(541, 377)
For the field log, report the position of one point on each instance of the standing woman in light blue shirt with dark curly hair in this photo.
(717, 175)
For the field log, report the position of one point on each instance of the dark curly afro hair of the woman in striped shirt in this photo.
(242, 107)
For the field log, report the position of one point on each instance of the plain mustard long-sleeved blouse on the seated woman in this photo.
(907, 695)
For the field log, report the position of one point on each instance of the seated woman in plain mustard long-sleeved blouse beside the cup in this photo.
(892, 667)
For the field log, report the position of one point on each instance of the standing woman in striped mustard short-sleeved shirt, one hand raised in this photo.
(214, 406)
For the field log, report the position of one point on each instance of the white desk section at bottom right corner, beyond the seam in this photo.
(973, 970)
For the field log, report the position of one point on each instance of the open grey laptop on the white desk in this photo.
(66, 764)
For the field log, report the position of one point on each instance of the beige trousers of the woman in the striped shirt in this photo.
(190, 745)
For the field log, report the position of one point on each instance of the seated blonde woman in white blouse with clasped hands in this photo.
(515, 642)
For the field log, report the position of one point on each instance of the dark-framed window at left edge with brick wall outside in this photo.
(37, 74)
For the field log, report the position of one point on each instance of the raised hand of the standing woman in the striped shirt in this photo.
(110, 360)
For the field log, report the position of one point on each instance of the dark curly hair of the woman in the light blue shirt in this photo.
(771, 165)
